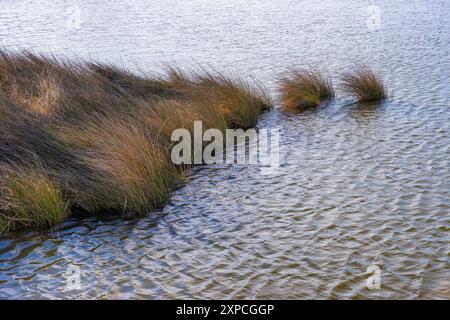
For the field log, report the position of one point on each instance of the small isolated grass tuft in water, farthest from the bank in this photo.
(364, 84)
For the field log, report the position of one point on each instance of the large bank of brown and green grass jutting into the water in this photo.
(79, 137)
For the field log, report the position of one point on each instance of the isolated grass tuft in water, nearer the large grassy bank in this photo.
(304, 88)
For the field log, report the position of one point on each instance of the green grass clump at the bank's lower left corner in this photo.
(30, 198)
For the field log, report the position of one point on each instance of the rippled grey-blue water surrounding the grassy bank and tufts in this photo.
(358, 186)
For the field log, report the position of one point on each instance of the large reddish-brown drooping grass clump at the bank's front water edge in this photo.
(131, 173)
